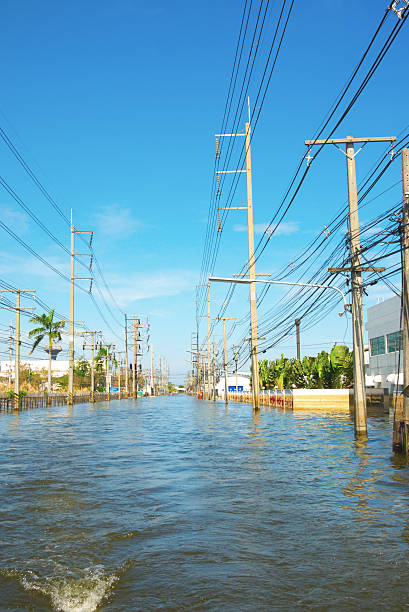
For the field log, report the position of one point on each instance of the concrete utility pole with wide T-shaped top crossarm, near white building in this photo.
(356, 277)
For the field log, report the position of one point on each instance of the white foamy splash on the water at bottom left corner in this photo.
(72, 594)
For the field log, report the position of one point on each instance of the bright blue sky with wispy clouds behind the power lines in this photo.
(115, 106)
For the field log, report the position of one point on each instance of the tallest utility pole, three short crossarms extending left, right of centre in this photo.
(251, 261)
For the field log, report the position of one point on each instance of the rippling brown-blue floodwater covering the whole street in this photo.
(171, 503)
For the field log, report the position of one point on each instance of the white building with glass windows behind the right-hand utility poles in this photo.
(385, 341)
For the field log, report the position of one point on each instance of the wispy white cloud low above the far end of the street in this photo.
(128, 289)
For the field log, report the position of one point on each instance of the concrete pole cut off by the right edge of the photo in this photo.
(401, 416)
